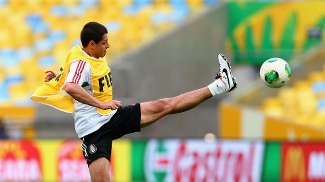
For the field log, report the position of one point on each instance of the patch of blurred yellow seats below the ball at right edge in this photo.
(303, 102)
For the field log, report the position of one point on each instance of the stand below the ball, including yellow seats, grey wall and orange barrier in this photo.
(296, 107)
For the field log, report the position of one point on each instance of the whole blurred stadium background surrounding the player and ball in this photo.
(162, 48)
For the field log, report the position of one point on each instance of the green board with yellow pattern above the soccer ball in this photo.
(261, 30)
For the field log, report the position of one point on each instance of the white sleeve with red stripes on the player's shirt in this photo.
(79, 72)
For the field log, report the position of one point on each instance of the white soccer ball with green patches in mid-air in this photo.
(275, 72)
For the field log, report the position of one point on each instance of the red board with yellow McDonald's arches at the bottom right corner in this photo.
(303, 162)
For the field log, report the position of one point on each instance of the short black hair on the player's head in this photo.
(92, 31)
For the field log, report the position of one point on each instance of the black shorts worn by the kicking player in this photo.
(99, 143)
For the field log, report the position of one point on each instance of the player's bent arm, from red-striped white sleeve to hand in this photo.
(79, 73)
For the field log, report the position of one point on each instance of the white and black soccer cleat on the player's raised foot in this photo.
(225, 74)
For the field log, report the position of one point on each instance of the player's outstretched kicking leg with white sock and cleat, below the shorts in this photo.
(154, 110)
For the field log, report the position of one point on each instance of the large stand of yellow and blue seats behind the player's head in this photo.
(36, 34)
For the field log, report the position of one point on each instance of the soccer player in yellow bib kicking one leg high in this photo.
(83, 86)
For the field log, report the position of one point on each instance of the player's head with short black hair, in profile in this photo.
(93, 37)
